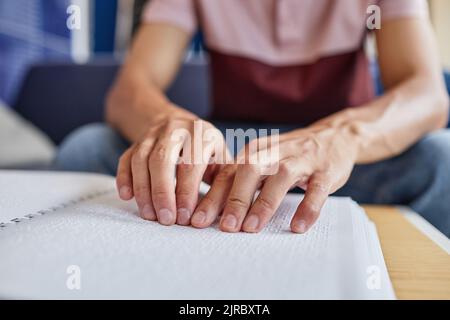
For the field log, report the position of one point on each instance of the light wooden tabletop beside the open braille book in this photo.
(419, 268)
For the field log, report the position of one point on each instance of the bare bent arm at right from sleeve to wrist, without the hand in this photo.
(415, 102)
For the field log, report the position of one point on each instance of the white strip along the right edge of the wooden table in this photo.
(426, 228)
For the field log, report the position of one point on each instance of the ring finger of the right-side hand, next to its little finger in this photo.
(272, 194)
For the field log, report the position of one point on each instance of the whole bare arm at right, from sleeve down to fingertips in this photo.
(320, 159)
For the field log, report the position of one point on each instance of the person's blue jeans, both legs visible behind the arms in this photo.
(418, 178)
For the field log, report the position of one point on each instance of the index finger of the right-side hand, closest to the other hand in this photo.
(212, 204)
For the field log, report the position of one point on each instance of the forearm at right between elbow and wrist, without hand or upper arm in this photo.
(392, 123)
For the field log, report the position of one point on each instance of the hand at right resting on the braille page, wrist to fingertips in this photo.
(318, 159)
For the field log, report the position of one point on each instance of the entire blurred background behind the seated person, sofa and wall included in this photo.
(56, 65)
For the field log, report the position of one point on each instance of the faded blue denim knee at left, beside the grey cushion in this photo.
(92, 148)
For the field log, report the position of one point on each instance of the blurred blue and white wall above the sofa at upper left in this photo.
(36, 31)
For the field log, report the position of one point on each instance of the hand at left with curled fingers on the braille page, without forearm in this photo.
(183, 147)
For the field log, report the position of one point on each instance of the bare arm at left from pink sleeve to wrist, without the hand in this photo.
(137, 98)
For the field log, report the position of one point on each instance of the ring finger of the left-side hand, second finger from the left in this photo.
(141, 179)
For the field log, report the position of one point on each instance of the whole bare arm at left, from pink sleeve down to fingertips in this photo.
(138, 108)
